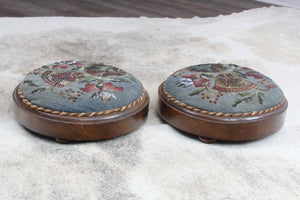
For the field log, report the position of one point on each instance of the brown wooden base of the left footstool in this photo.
(65, 128)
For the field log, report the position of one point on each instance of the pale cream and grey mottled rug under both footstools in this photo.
(156, 161)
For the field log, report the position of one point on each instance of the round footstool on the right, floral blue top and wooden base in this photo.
(222, 102)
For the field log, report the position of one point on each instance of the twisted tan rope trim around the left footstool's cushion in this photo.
(55, 112)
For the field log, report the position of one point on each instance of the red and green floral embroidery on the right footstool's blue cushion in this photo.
(212, 80)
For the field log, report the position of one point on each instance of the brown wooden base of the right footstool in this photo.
(213, 128)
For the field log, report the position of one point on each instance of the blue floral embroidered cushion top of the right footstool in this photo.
(225, 88)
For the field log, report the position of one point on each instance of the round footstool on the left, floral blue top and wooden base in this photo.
(80, 101)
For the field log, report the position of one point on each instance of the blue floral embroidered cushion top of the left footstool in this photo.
(80, 86)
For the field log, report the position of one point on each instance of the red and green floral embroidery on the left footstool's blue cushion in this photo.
(95, 78)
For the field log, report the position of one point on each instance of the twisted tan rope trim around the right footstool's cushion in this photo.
(171, 98)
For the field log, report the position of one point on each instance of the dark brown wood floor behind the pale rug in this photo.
(125, 8)
